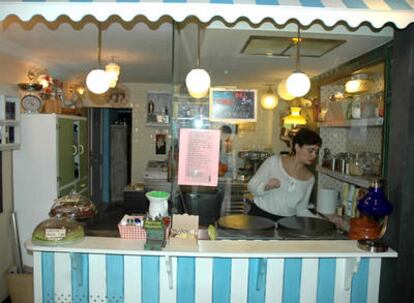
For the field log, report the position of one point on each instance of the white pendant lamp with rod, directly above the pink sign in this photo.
(198, 80)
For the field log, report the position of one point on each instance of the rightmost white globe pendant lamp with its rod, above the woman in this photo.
(298, 83)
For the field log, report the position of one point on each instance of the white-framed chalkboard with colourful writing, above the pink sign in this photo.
(233, 105)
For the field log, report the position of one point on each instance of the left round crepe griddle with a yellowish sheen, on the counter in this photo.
(246, 224)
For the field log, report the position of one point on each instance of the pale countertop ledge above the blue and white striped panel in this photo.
(221, 248)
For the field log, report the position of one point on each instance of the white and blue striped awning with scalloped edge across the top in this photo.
(377, 13)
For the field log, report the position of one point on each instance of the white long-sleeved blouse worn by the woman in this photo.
(291, 198)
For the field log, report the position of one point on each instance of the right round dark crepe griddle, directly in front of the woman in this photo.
(306, 226)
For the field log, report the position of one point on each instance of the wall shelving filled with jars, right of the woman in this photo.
(351, 127)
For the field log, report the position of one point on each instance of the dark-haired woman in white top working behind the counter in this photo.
(282, 186)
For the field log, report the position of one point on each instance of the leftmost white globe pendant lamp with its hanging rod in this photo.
(98, 80)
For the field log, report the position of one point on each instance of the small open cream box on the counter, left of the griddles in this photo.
(184, 230)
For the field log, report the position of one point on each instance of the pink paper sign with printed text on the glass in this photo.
(199, 157)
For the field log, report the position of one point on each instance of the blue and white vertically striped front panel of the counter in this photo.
(89, 277)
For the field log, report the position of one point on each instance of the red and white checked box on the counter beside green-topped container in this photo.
(132, 227)
